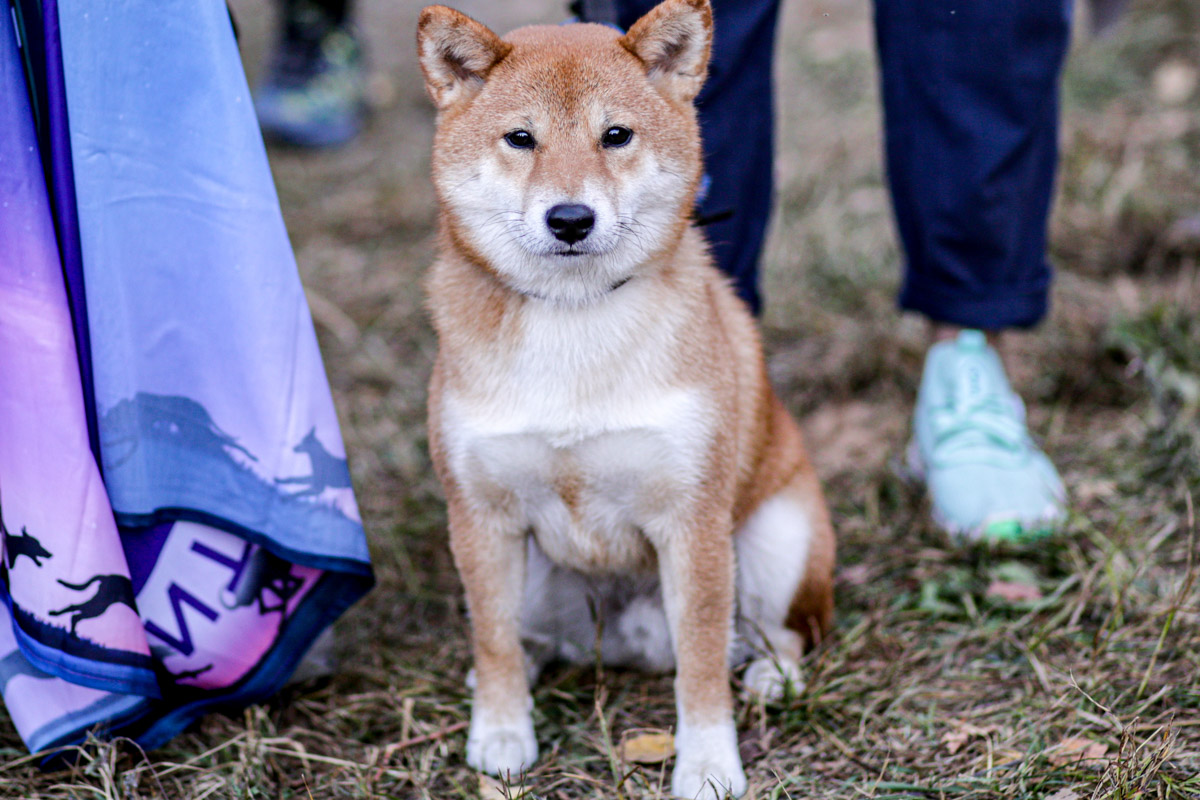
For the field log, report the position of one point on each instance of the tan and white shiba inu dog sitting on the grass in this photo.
(599, 410)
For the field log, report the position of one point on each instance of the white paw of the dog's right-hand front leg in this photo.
(707, 763)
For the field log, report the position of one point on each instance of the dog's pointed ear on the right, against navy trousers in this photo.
(674, 41)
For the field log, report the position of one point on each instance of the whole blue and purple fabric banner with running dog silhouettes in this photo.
(219, 534)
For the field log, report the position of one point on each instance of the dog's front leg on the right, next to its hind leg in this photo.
(697, 570)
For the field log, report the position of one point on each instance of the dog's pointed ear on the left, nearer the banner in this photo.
(457, 55)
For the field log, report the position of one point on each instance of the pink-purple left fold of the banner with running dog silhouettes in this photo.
(63, 561)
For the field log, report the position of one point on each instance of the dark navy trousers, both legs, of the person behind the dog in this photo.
(971, 127)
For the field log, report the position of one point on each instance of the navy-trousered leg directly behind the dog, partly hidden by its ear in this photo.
(736, 119)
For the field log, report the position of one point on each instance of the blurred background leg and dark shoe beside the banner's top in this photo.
(314, 91)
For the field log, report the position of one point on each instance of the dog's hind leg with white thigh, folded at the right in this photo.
(785, 584)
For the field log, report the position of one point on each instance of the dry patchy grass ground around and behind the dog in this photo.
(1063, 670)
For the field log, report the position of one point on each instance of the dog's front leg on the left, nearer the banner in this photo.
(491, 561)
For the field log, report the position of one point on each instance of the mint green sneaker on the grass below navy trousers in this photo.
(986, 477)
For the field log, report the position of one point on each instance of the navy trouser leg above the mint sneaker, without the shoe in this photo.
(971, 110)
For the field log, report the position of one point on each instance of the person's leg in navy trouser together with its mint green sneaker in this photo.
(971, 110)
